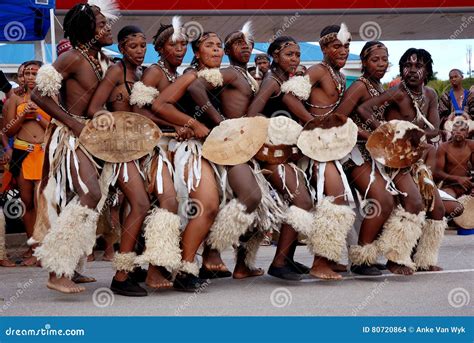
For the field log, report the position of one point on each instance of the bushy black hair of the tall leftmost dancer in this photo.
(79, 24)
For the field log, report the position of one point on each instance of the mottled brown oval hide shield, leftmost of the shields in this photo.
(120, 136)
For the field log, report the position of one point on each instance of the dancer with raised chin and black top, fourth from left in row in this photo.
(195, 177)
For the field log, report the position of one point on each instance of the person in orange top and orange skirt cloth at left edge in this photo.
(26, 122)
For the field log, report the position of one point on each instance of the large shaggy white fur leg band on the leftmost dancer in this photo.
(71, 237)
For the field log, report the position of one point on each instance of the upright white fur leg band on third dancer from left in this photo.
(162, 238)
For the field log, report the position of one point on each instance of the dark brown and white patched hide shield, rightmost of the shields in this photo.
(396, 144)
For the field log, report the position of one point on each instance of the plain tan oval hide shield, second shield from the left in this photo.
(235, 141)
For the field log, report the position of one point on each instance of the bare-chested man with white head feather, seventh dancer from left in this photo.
(321, 90)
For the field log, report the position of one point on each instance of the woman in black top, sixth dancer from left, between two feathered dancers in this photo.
(268, 101)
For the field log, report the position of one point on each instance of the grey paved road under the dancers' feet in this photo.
(446, 293)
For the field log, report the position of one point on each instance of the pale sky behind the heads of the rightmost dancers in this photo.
(446, 54)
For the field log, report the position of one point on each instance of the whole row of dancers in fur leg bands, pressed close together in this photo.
(240, 201)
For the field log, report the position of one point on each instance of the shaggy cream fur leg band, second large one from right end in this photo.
(399, 236)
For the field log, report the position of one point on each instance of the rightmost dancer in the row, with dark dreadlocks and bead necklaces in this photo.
(413, 102)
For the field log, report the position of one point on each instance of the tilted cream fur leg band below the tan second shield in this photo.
(231, 222)
